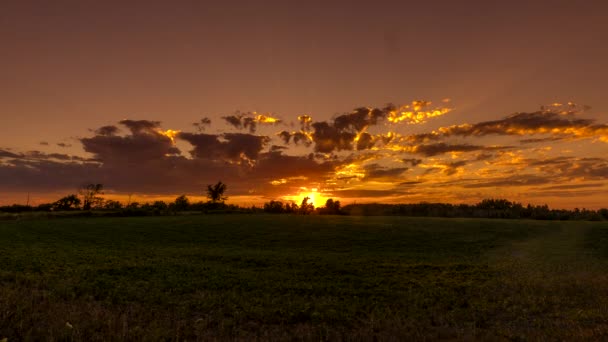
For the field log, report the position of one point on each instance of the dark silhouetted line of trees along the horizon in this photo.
(89, 202)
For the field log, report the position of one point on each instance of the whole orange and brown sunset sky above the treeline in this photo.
(384, 101)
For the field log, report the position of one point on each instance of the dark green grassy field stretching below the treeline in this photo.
(264, 277)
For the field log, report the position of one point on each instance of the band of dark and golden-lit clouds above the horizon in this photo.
(553, 152)
